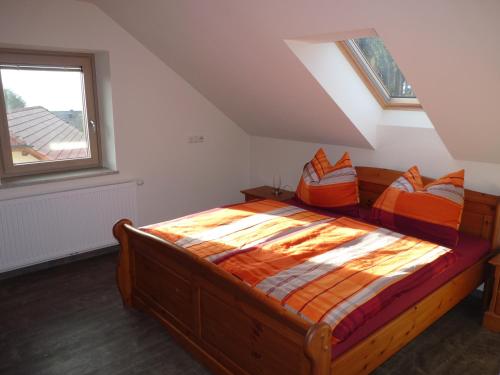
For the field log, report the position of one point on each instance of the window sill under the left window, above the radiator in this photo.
(15, 182)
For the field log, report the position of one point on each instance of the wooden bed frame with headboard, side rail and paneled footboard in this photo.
(234, 329)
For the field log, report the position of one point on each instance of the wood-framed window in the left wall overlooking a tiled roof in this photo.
(48, 119)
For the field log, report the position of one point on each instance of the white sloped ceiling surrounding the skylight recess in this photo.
(234, 53)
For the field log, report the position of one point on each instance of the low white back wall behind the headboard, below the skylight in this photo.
(397, 148)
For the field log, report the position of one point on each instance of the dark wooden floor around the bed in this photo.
(70, 320)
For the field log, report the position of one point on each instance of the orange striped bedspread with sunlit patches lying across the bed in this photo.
(336, 270)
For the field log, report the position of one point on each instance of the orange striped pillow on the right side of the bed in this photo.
(432, 212)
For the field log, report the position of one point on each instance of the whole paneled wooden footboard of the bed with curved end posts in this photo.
(226, 324)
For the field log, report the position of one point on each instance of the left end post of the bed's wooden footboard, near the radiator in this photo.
(123, 270)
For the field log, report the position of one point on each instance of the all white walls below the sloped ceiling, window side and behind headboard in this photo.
(154, 111)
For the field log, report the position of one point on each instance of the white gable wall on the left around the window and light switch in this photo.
(154, 111)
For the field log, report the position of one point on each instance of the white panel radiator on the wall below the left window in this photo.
(50, 226)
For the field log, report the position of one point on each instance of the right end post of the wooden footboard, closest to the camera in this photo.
(319, 347)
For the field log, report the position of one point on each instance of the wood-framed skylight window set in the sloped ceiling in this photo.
(378, 69)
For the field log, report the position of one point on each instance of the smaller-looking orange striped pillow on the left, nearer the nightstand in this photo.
(330, 186)
